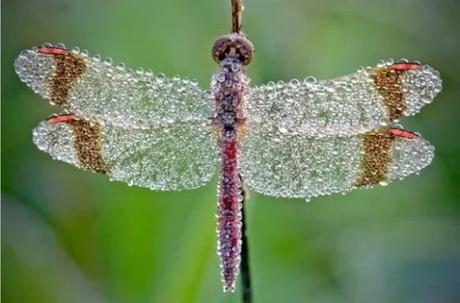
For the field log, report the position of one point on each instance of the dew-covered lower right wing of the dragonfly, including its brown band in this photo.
(296, 166)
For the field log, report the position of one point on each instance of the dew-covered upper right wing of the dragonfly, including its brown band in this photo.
(351, 104)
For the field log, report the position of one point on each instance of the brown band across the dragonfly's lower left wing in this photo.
(87, 142)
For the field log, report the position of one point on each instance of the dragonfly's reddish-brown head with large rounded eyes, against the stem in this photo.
(233, 45)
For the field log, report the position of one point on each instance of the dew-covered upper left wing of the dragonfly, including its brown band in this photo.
(95, 89)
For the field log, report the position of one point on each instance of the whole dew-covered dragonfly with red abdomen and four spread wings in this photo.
(299, 139)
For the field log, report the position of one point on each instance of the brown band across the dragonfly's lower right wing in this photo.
(377, 151)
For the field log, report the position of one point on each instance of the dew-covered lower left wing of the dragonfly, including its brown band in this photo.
(181, 156)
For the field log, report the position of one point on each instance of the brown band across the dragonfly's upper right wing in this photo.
(388, 82)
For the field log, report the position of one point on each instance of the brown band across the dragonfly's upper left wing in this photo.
(69, 67)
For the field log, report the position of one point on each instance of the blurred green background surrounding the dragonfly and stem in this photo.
(73, 236)
